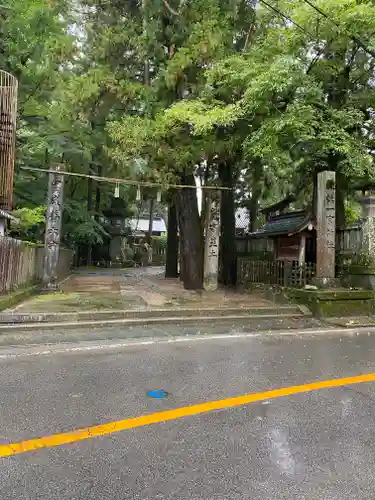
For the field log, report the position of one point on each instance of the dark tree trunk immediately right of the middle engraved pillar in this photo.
(228, 253)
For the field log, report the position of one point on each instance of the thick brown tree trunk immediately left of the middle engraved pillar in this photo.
(191, 236)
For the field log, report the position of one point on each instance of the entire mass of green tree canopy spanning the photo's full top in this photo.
(277, 90)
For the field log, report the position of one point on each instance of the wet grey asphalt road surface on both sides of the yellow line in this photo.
(314, 445)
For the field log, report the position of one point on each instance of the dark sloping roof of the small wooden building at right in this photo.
(289, 223)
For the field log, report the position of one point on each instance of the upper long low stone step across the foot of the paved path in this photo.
(143, 315)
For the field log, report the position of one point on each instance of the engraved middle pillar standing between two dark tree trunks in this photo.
(212, 240)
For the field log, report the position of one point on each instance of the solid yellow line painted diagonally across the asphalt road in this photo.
(164, 416)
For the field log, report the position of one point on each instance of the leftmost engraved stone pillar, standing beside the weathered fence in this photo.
(53, 229)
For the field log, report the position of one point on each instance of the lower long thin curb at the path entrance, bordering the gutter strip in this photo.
(141, 321)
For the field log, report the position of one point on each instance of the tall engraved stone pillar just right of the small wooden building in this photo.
(326, 227)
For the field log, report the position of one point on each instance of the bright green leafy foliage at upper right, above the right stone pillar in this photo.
(295, 102)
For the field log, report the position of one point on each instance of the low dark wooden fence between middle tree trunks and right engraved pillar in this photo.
(273, 272)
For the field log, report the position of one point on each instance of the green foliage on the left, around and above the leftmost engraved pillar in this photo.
(67, 93)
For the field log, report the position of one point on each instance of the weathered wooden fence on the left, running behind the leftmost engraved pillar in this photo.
(22, 263)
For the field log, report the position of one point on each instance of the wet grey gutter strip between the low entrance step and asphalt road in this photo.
(50, 338)
